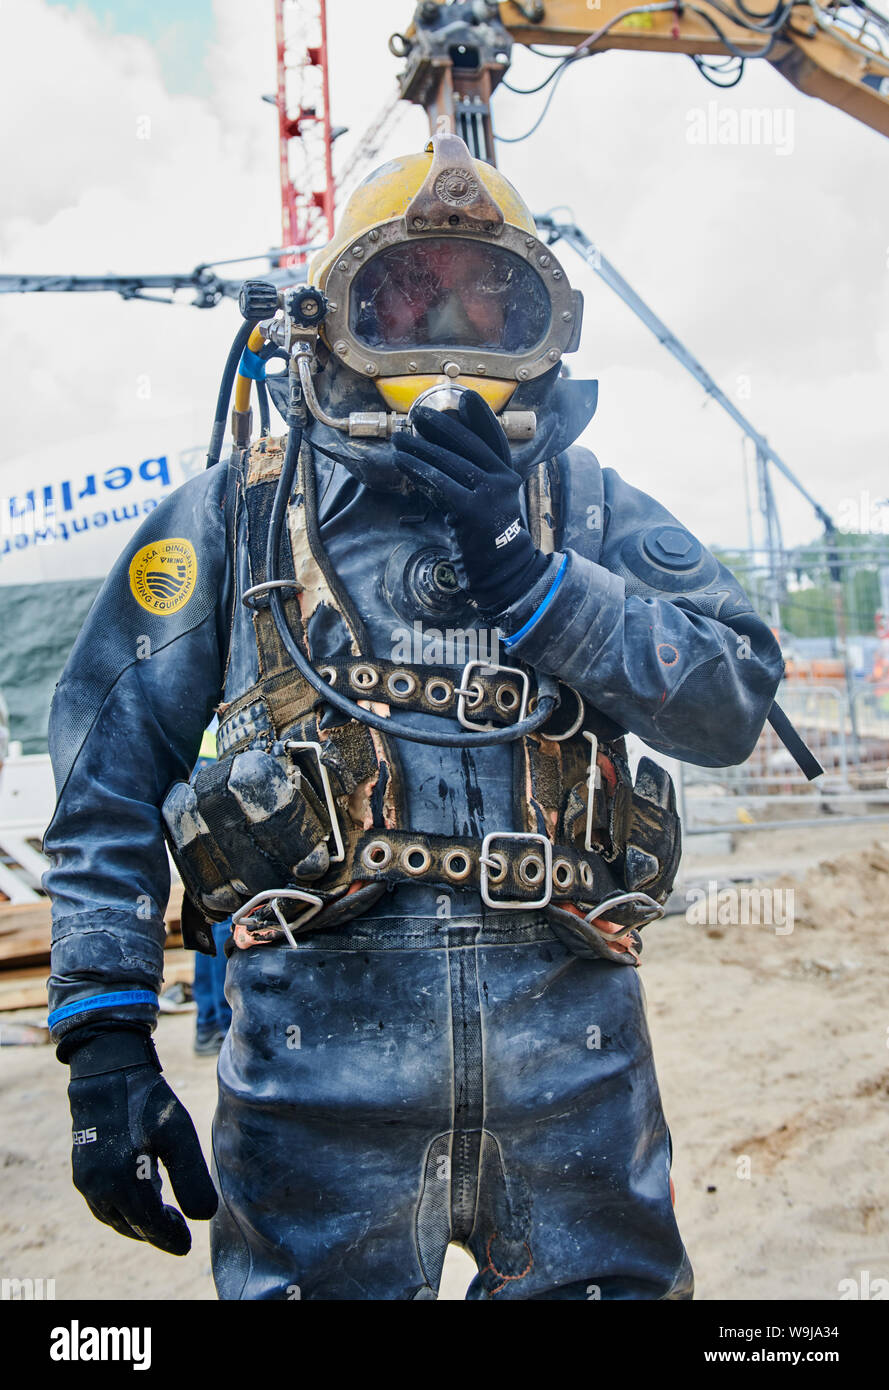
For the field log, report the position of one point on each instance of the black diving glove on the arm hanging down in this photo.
(126, 1118)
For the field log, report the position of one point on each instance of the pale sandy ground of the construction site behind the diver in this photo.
(774, 1065)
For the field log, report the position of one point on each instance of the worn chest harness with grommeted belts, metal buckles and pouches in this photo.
(301, 822)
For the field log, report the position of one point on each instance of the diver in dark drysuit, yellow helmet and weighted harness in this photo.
(438, 1029)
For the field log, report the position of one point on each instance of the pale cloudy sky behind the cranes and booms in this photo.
(772, 263)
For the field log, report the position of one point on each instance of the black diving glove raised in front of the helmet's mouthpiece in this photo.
(466, 469)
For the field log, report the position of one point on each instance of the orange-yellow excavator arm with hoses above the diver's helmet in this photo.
(459, 51)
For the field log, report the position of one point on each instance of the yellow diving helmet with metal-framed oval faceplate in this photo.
(437, 277)
